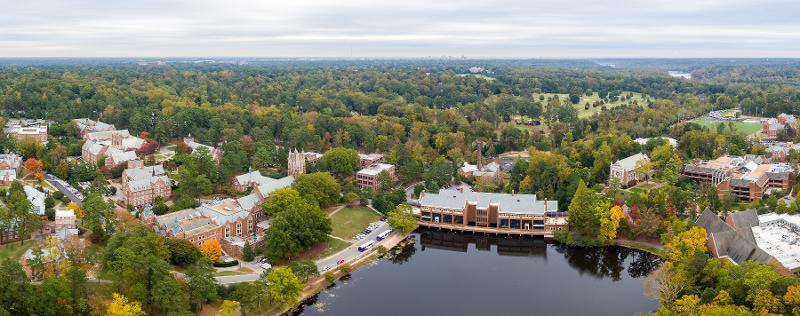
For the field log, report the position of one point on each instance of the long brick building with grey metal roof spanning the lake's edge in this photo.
(463, 209)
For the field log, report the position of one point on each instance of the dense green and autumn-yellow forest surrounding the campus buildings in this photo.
(574, 118)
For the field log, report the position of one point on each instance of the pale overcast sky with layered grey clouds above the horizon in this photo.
(400, 28)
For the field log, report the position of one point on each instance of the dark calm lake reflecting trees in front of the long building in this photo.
(446, 273)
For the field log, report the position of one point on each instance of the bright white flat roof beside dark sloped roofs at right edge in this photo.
(779, 236)
